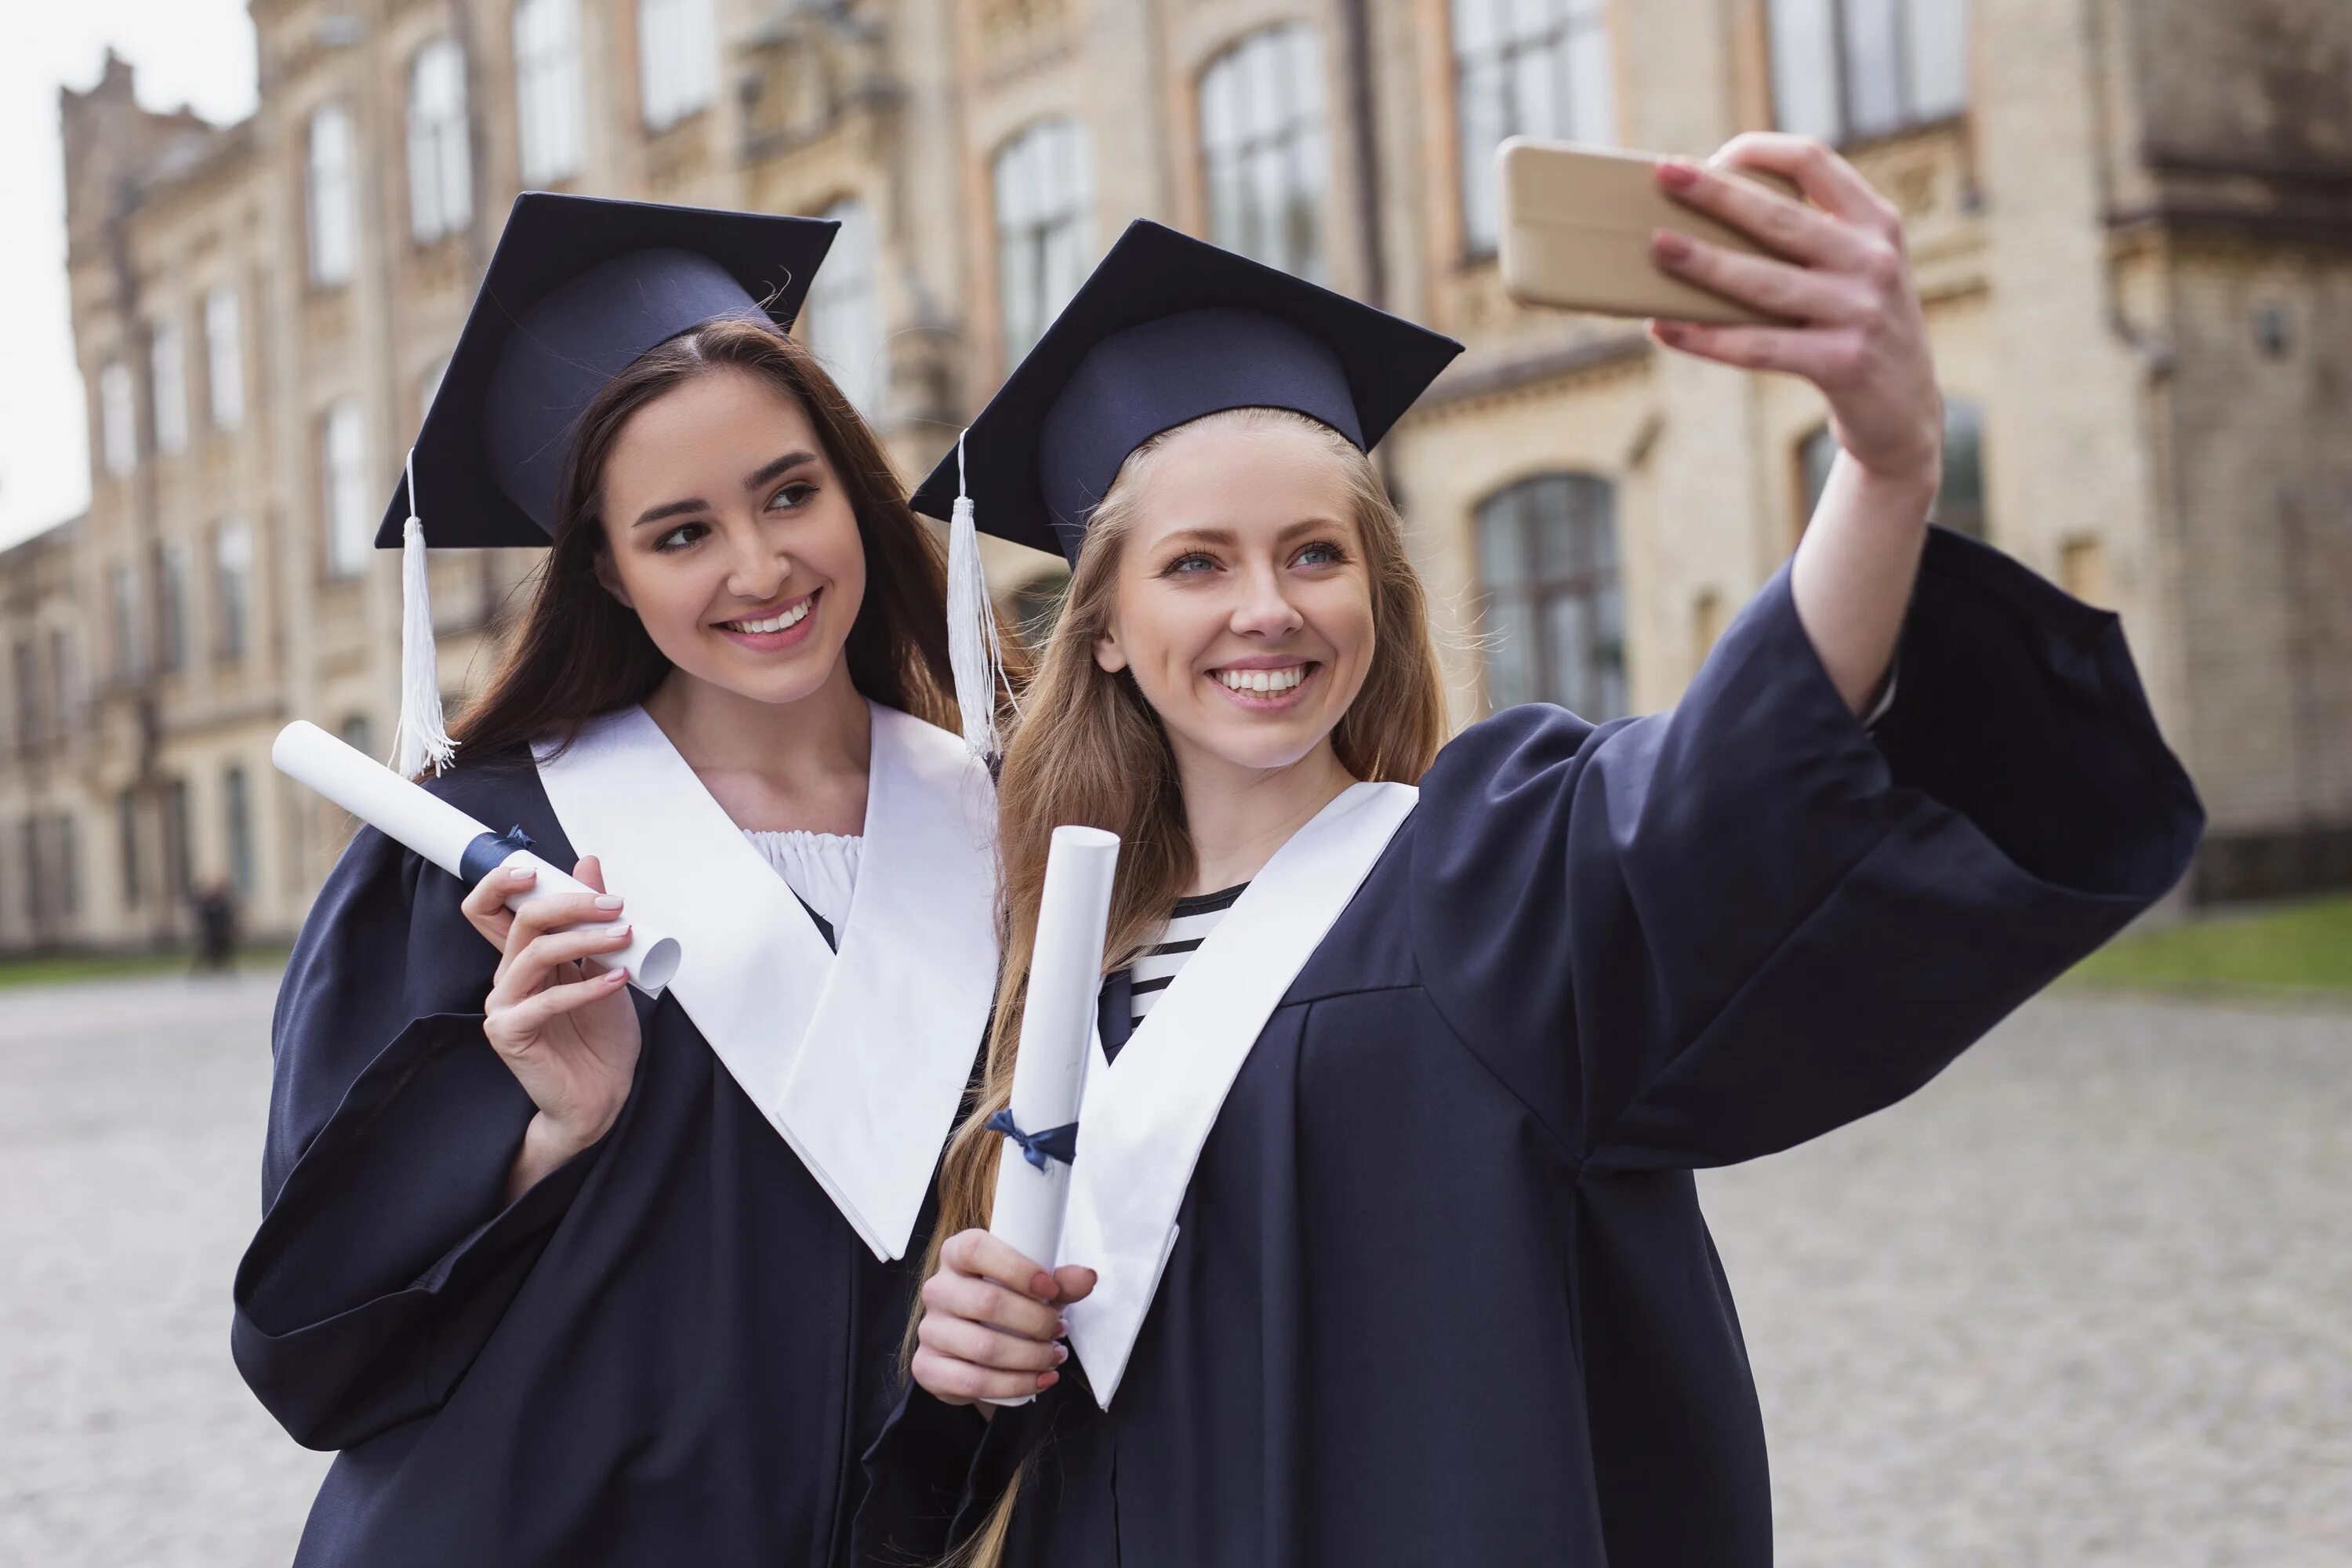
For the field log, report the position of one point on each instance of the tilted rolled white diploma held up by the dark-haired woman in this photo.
(441, 833)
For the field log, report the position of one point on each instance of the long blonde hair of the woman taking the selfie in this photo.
(1093, 751)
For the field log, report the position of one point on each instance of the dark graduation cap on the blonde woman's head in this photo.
(1165, 330)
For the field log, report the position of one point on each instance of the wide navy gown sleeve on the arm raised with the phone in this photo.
(1711, 934)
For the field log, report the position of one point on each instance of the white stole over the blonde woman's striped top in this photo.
(1144, 1120)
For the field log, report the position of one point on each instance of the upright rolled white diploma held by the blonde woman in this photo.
(1057, 1031)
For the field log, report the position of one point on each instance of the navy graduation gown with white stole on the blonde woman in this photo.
(1426, 1280)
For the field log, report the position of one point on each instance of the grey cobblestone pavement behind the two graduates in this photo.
(2085, 1301)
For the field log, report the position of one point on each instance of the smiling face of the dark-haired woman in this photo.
(730, 535)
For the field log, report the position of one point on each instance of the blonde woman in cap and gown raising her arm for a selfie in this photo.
(1384, 1242)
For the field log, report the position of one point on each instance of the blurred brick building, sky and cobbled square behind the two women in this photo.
(2085, 1301)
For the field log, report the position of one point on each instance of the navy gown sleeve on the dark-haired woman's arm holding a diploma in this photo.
(387, 1252)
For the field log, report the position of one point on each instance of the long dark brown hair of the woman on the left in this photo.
(582, 652)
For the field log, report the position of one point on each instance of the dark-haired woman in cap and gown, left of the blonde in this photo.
(566, 1273)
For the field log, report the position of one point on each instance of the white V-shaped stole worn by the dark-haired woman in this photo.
(860, 1057)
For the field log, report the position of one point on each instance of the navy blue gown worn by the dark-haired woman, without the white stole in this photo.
(671, 1351)
